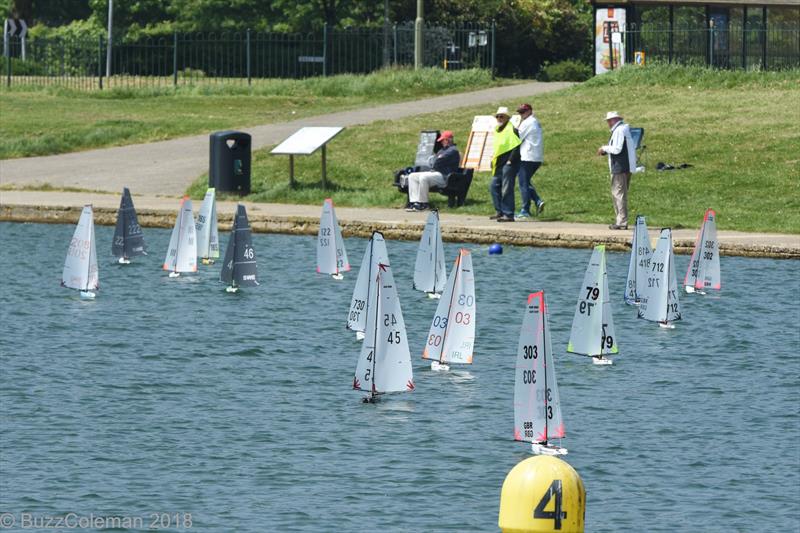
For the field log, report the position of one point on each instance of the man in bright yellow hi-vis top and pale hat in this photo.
(505, 165)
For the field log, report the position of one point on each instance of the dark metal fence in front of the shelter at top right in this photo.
(746, 47)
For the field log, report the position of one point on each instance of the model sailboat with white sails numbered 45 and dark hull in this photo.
(384, 363)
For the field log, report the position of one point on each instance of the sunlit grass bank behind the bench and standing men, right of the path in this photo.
(738, 130)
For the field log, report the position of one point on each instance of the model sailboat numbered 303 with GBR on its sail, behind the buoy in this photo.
(537, 409)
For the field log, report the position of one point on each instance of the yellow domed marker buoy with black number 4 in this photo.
(542, 494)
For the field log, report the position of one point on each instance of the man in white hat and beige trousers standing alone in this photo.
(621, 152)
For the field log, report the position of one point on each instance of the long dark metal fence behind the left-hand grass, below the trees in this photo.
(240, 58)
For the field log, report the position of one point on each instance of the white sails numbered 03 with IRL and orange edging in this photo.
(452, 333)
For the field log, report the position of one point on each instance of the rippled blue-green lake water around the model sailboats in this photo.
(172, 396)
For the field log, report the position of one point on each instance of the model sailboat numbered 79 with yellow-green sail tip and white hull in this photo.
(593, 326)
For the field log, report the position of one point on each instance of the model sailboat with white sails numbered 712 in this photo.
(659, 299)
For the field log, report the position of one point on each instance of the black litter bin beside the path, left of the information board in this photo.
(229, 161)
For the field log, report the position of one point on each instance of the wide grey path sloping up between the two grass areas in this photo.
(169, 167)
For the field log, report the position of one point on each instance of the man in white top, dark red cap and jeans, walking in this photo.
(531, 157)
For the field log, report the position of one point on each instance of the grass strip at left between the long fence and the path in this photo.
(52, 120)
